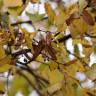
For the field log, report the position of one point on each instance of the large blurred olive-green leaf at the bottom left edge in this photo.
(19, 84)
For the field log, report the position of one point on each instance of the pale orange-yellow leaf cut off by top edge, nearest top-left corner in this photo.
(12, 3)
